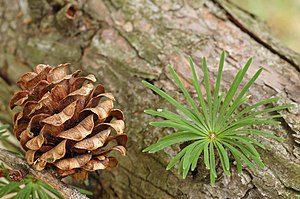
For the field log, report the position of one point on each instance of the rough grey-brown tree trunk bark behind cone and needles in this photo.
(124, 42)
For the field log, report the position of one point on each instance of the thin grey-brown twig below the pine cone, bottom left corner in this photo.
(17, 163)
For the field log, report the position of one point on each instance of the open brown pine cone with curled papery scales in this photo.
(66, 121)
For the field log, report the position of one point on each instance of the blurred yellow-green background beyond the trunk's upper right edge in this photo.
(283, 16)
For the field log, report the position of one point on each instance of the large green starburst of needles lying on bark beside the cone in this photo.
(216, 125)
